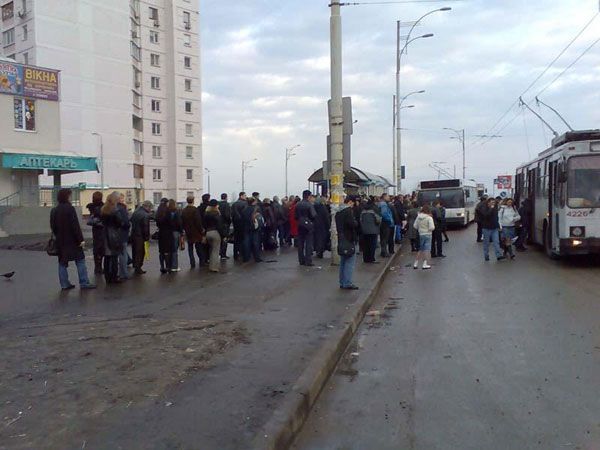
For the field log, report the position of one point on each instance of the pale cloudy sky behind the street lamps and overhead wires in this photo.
(266, 82)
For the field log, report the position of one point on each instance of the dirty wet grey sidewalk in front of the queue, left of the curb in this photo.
(188, 360)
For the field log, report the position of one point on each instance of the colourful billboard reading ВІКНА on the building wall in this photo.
(29, 81)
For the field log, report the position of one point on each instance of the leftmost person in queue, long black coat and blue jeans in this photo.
(69, 241)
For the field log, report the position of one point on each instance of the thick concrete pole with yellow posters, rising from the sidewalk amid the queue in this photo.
(336, 123)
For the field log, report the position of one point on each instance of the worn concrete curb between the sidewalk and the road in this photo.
(288, 419)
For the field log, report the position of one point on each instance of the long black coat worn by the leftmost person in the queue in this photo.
(65, 226)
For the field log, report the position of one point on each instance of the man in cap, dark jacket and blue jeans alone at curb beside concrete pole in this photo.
(347, 228)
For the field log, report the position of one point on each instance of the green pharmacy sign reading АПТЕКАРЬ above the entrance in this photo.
(50, 162)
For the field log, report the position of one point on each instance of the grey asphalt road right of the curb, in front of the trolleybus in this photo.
(471, 355)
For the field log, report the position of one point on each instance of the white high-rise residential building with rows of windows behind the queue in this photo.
(130, 86)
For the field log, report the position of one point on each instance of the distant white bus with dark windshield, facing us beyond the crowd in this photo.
(457, 197)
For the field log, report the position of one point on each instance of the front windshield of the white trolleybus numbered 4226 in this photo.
(583, 185)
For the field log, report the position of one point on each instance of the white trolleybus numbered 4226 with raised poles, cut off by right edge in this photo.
(563, 186)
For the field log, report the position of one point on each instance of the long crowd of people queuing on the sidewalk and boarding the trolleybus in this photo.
(255, 226)
